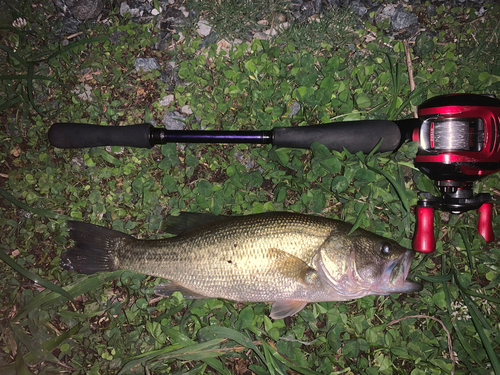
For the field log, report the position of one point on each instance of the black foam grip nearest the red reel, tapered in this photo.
(353, 135)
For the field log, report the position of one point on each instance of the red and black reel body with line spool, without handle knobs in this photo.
(459, 137)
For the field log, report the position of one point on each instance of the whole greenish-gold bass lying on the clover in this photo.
(287, 259)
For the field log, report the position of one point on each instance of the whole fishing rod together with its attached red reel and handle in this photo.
(458, 137)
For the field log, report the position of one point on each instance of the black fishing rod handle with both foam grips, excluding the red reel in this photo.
(335, 136)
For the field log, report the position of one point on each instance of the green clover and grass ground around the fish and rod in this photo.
(55, 321)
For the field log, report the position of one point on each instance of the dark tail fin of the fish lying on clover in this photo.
(94, 250)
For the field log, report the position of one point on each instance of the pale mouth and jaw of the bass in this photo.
(393, 279)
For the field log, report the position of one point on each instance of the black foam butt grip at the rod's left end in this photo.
(72, 135)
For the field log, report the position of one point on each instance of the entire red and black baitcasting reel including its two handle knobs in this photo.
(459, 142)
